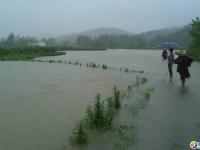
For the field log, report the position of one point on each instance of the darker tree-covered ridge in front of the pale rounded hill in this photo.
(145, 40)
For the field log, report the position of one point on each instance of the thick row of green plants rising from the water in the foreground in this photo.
(100, 115)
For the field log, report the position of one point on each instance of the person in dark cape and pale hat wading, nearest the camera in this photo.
(184, 62)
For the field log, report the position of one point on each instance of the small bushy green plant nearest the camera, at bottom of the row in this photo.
(80, 135)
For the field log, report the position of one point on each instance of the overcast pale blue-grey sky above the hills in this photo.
(59, 17)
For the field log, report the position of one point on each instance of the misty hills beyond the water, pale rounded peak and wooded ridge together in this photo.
(118, 38)
